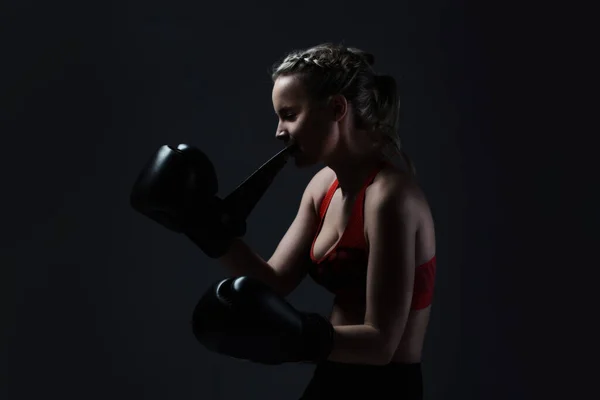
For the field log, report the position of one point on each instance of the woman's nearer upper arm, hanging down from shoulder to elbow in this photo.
(391, 230)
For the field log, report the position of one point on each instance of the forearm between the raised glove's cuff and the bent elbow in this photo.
(241, 260)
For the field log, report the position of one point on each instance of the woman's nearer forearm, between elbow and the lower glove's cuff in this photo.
(358, 344)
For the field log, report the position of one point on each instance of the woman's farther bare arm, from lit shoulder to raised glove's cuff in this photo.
(286, 268)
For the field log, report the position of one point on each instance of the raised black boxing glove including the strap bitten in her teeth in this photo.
(177, 188)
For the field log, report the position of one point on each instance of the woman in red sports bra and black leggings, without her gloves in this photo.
(363, 230)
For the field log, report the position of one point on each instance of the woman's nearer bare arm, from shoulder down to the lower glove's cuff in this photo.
(391, 229)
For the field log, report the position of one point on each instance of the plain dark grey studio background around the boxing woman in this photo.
(96, 299)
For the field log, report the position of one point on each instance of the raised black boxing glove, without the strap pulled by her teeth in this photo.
(177, 188)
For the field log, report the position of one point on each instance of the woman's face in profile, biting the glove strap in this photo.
(302, 120)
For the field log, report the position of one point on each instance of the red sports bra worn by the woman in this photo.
(343, 270)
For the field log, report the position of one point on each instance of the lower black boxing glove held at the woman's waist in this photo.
(244, 319)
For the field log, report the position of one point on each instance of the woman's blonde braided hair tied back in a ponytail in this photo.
(329, 69)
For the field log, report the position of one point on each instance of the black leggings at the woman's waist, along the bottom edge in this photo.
(393, 381)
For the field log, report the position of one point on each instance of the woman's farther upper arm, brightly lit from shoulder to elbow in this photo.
(292, 255)
